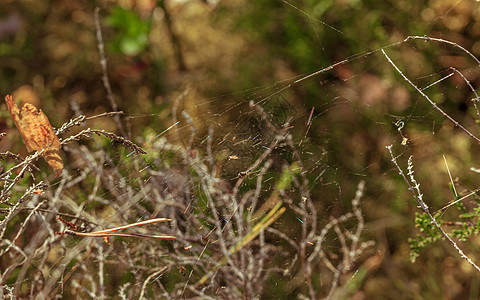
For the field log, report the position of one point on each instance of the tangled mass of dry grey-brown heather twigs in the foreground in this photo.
(229, 238)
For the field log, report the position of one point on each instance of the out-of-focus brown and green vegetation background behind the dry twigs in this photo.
(226, 53)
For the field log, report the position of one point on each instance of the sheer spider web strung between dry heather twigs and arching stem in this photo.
(233, 129)
